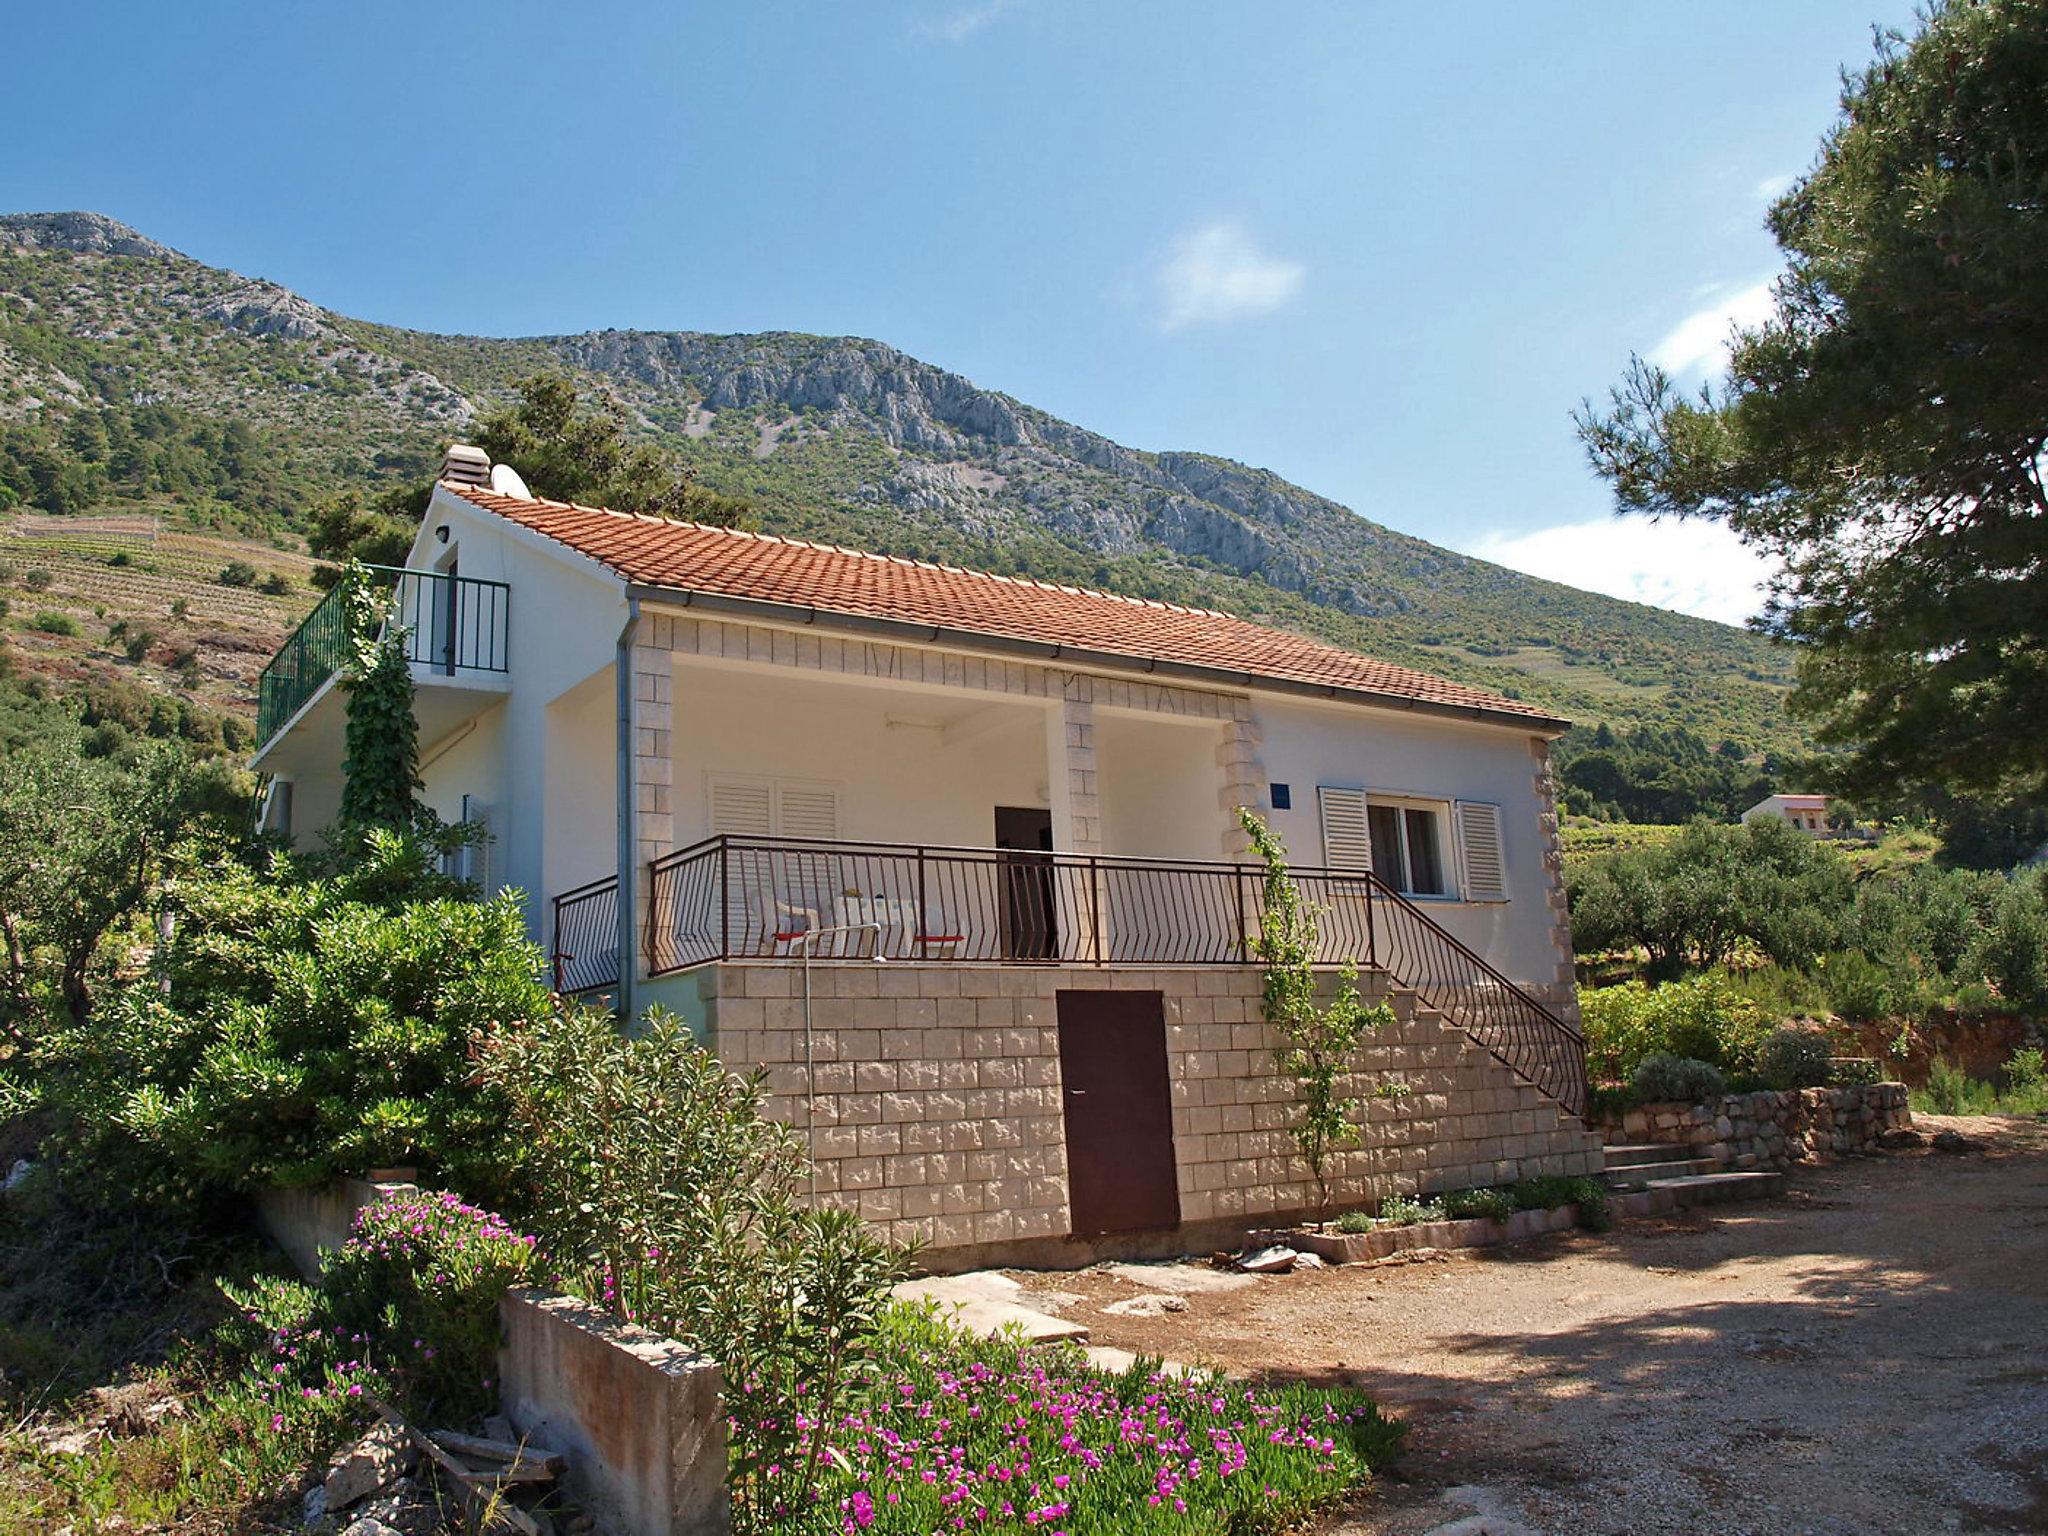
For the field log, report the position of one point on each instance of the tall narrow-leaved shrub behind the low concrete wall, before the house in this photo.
(663, 1189)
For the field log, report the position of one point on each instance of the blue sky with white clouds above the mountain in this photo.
(1377, 249)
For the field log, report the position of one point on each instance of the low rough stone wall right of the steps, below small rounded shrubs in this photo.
(1773, 1127)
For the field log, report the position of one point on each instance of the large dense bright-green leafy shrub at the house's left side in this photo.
(306, 1029)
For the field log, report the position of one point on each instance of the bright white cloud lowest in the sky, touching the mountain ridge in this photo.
(1697, 568)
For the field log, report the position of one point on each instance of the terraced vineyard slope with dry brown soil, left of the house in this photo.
(140, 570)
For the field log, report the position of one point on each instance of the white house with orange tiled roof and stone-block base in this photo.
(955, 857)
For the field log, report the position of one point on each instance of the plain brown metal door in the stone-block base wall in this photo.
(1119, 1111)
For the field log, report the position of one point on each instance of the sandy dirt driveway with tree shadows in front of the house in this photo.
(1869, 1355)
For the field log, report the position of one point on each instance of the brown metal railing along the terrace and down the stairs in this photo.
(757, 898)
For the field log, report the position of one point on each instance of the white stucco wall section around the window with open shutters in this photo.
(1310, 744)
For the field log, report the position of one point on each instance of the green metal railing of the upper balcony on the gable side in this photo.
(452, 624)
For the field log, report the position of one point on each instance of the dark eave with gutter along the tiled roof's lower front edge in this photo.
(910, 632)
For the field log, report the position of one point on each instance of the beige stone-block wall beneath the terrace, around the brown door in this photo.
(939, 1111)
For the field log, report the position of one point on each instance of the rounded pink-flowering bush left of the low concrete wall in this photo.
(419, 1281)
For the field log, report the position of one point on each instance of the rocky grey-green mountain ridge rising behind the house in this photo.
(855, 441)
